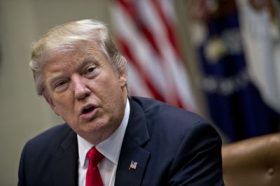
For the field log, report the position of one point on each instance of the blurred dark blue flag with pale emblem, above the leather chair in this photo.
(235, 104)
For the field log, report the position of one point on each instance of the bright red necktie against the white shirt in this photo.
(93, 177)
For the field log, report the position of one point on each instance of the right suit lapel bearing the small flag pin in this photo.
(133, 157)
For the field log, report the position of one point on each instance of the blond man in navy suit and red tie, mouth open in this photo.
(139, 141)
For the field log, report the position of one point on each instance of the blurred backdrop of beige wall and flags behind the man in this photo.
(218, 58)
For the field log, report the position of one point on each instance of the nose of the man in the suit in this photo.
(81, 91)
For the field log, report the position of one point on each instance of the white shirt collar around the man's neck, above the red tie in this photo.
(111, 147)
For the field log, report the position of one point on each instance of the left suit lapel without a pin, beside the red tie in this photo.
(65, 164)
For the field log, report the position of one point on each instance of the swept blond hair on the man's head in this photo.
(66, 37)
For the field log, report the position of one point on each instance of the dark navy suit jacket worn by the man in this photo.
(171, 147)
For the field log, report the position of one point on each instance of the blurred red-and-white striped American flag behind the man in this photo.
(145, 33)
